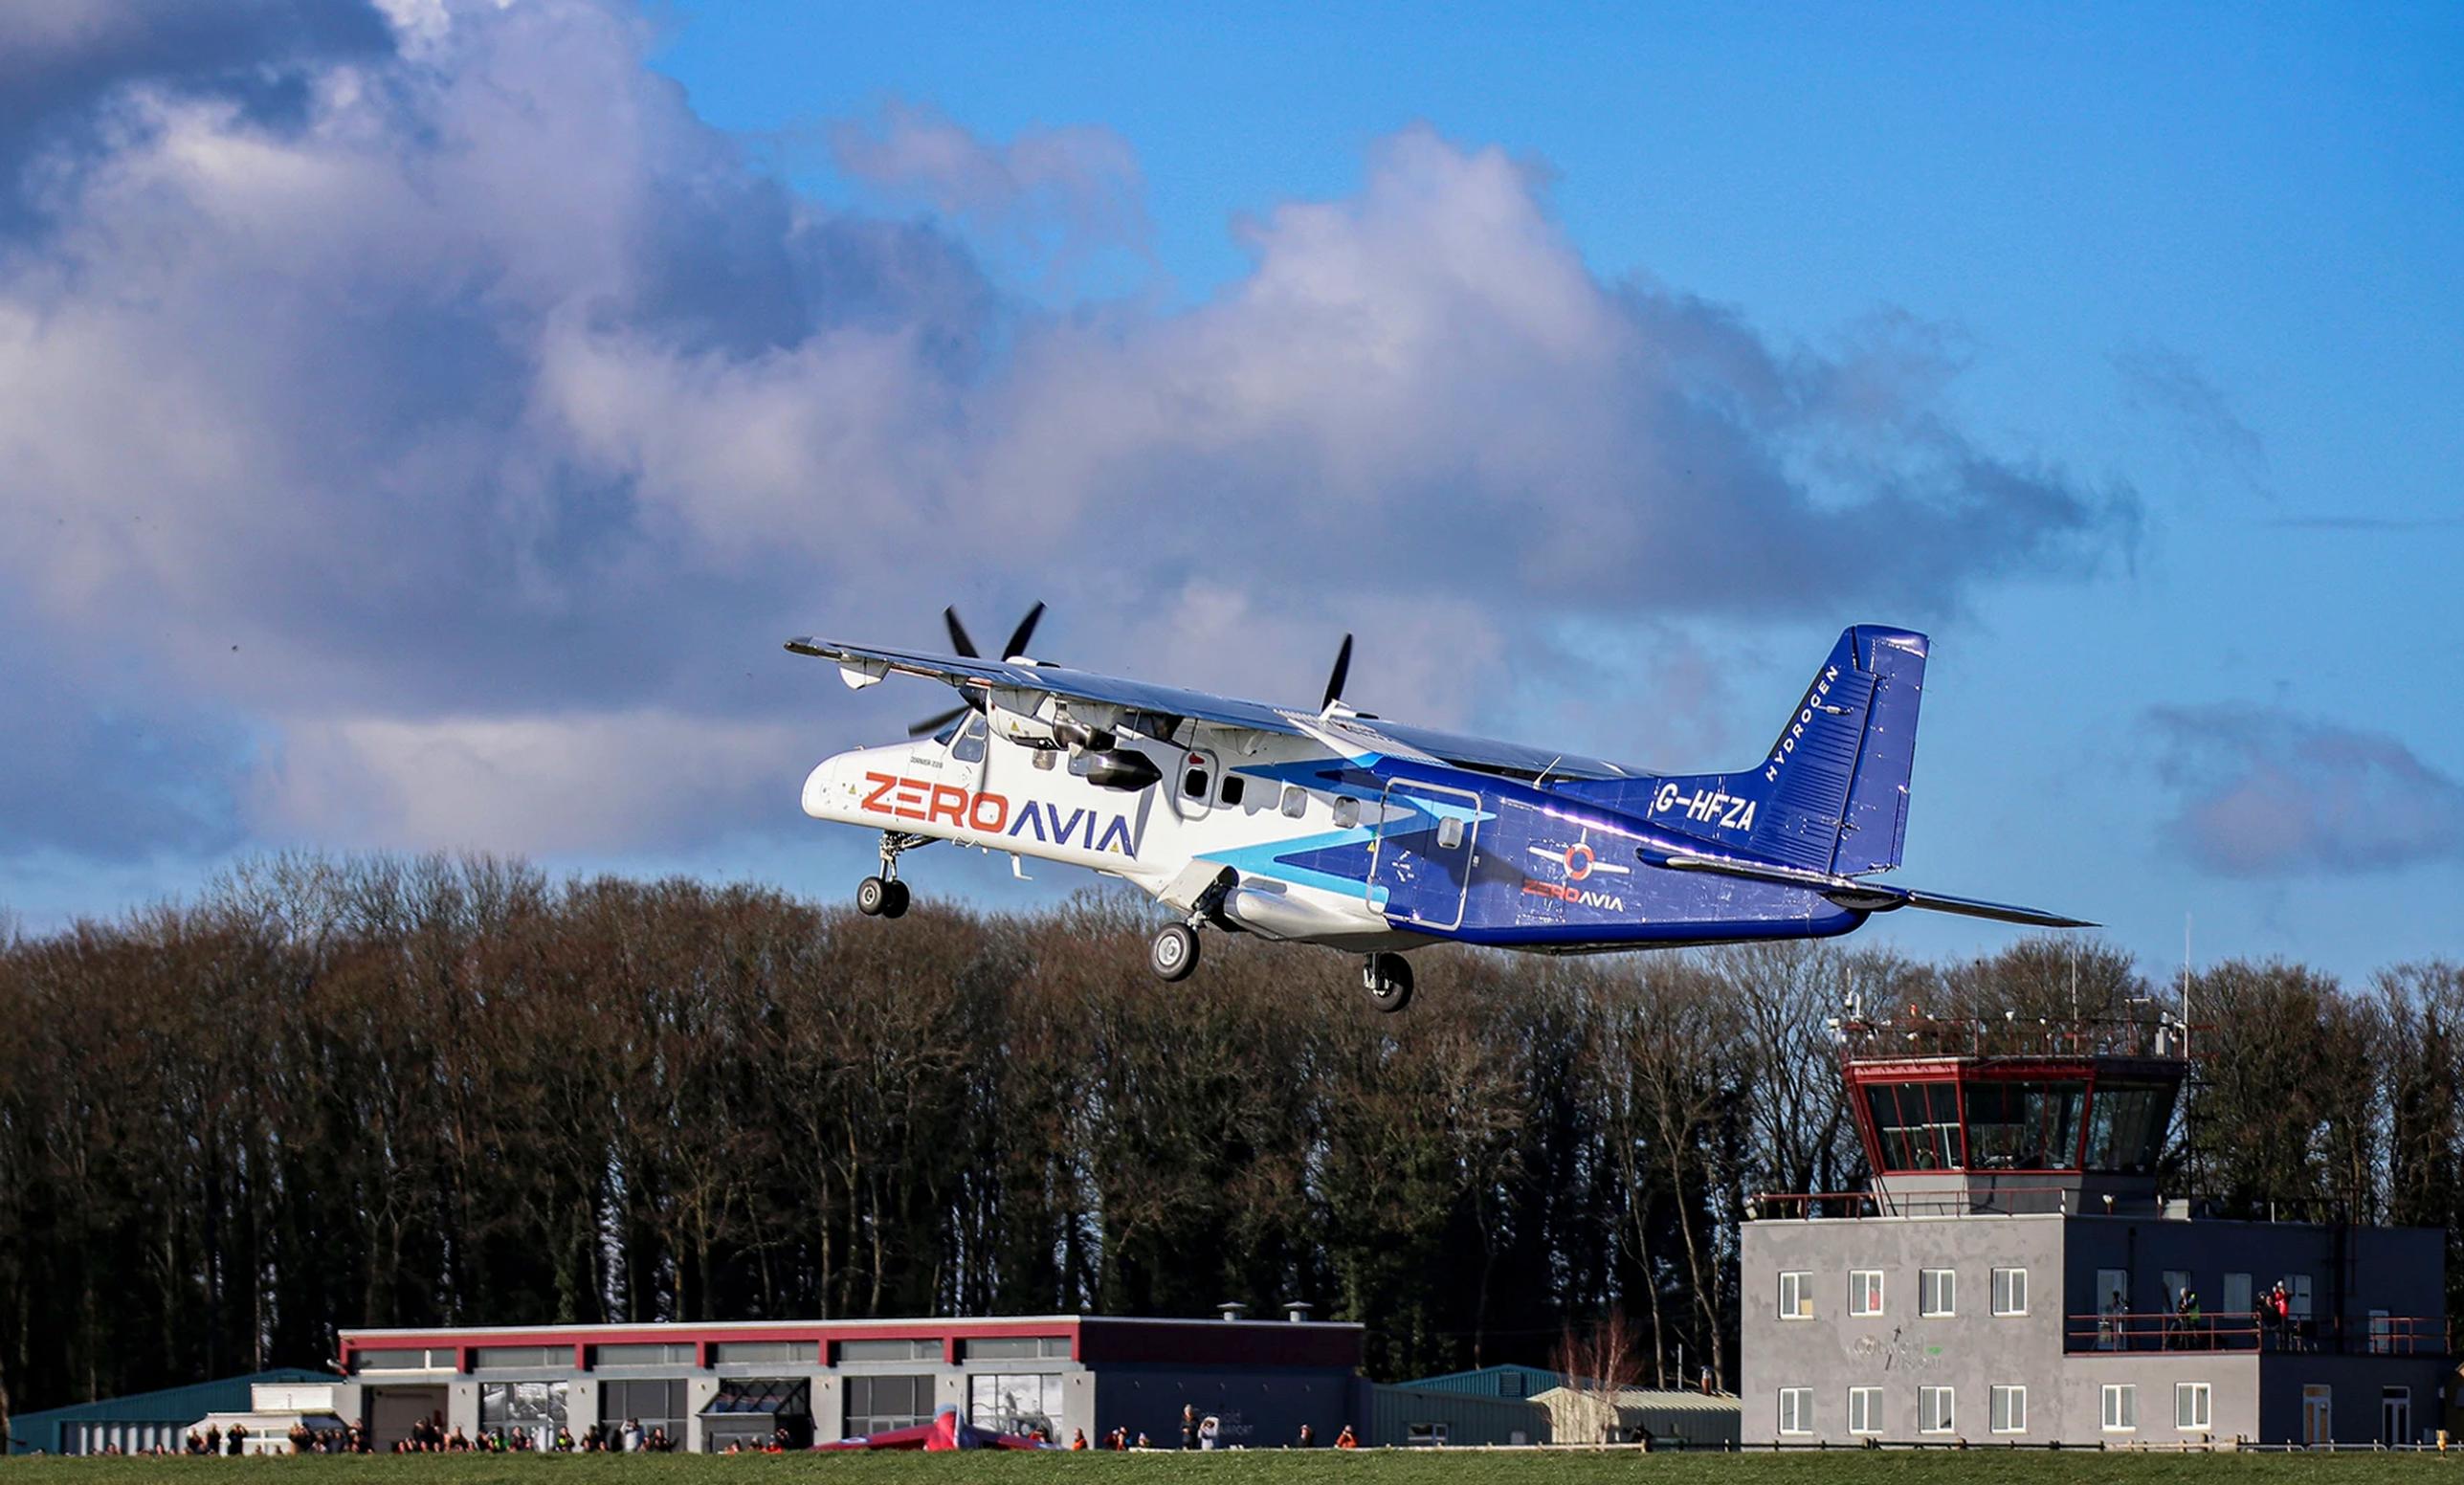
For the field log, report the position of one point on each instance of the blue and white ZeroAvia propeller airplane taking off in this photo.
(1369, 836)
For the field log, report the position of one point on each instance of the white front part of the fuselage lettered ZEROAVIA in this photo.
(1177, 839)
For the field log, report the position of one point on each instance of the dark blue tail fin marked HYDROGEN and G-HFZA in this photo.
(1832, 789)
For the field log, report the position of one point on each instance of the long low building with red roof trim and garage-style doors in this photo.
(824, 1380)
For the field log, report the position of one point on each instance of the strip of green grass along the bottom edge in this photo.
(1300, 1469)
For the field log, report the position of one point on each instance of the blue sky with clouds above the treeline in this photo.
(428, 427)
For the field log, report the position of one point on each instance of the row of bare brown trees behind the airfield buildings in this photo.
(405, 1092)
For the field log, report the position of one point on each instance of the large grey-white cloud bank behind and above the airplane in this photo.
(477, 422)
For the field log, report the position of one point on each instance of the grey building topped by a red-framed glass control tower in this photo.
(2014, 1277)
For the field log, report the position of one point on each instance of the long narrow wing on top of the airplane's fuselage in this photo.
(1167, 701)
